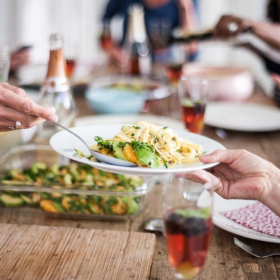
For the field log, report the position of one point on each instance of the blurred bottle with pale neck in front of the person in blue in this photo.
(136, 43)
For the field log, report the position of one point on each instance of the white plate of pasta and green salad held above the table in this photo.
(149, 148)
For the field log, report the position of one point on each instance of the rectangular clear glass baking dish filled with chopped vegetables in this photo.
(34, 176)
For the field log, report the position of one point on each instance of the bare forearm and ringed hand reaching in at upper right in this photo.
(229, 26)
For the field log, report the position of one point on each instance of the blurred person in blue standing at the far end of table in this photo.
(177, 13)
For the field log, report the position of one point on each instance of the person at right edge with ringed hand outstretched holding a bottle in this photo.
(269, 32)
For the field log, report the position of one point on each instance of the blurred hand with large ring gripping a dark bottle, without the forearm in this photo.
(229, 26)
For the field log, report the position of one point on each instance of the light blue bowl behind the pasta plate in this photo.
(106, 100)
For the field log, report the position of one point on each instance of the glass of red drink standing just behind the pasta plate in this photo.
(193, 94)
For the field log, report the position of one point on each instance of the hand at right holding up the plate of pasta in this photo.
(243, 176)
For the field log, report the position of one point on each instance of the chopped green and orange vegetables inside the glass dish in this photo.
(71, 176)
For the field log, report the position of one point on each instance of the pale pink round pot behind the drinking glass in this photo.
(226, 83)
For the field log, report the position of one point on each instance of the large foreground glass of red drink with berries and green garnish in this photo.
(187, 208)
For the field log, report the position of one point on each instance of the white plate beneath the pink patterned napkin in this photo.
(221, 221)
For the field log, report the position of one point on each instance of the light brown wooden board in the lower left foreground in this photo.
(40, 252)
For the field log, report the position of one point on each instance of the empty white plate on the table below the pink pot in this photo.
(242, 117)
